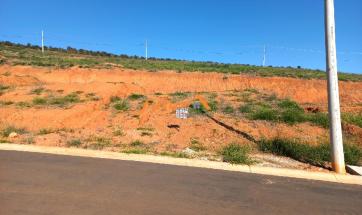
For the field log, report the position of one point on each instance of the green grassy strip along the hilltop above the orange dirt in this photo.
(19, 54)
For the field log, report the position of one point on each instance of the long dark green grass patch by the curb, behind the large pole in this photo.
(314, 155)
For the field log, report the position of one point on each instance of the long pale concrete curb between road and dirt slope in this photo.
(301, 174)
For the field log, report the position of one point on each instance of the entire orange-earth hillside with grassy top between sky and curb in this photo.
(83, 99)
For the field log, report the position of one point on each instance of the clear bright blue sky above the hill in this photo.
(231, 31)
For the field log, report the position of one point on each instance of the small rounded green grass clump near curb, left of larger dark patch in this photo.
(237, 154)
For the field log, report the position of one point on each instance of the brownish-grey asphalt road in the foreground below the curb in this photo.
(36, 184)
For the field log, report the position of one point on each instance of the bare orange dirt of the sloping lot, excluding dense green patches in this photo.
(88, 118)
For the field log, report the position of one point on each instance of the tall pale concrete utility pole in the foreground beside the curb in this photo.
(336, 140)
